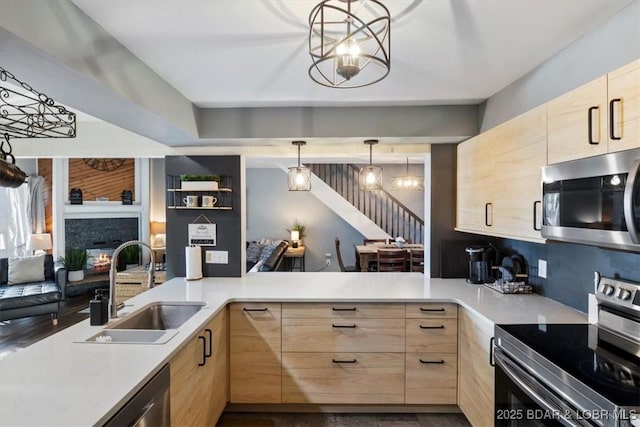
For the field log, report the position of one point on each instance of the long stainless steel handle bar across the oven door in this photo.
(548, 402)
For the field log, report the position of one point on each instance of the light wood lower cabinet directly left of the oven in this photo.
(476, 379)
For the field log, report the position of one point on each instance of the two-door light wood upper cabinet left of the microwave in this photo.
(499, 178)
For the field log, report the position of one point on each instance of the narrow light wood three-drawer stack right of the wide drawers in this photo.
(431, 365)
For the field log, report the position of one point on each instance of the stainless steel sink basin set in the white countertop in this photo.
(159, 316)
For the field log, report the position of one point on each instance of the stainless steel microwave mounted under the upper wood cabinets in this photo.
(594, 201)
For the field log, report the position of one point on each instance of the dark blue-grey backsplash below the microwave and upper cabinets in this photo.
(570, 268)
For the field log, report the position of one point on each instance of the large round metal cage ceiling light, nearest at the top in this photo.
(349, 43)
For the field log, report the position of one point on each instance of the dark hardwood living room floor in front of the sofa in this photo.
(20, 333)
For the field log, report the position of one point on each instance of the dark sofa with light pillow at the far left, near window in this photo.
(26, 291)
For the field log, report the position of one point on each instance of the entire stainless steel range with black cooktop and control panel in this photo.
(573, 374)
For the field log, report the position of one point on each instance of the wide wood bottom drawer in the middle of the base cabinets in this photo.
(343, 378)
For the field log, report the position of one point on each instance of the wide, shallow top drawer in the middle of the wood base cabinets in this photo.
(342, 311)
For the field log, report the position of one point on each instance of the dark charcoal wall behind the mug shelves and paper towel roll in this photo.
(228, 223)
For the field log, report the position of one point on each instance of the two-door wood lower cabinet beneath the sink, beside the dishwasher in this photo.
(199, 376)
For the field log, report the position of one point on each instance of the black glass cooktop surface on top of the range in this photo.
(611, 372)
